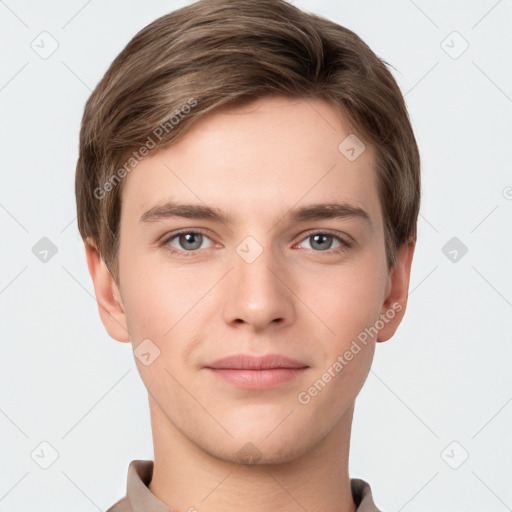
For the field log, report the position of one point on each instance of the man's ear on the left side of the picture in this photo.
(108, 297)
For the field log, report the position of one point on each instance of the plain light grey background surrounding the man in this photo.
(444, 377)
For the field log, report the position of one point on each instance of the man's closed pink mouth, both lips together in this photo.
(250, 372)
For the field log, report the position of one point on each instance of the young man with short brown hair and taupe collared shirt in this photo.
(248, 188)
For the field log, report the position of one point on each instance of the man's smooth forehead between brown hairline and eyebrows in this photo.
(259, 160)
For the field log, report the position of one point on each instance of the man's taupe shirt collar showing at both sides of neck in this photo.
(140, 499)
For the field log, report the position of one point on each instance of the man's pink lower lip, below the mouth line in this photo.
(258, 379)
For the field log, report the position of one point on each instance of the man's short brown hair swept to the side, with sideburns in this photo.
(217, 54)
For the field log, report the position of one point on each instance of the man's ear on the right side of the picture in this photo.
(397, 289)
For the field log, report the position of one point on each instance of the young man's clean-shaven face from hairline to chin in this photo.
(255, 236)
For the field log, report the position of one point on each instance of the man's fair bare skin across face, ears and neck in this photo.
(298, 299)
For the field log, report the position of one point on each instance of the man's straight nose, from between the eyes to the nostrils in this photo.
(258, 293)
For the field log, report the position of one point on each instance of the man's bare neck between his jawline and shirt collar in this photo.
(187, 478)
